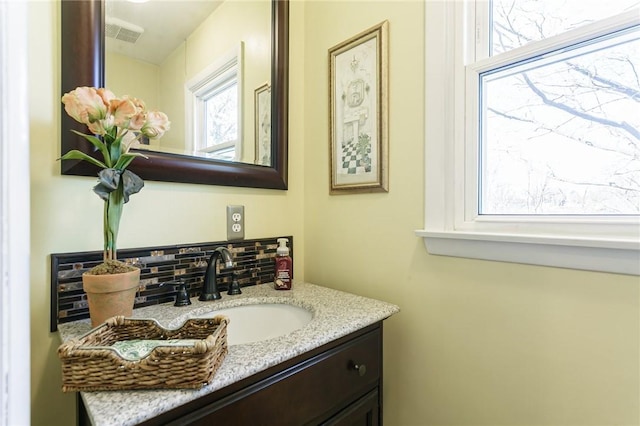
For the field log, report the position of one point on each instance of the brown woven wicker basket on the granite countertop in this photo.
(90, 363)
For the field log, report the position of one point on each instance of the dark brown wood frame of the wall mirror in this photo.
(82, 64)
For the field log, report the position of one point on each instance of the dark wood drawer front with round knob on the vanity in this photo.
(308, 393)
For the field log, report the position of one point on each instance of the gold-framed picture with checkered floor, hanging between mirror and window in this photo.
(358, 116)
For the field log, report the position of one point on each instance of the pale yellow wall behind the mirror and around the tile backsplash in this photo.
(66, 216)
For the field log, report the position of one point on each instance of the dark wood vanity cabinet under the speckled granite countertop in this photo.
(339, 383)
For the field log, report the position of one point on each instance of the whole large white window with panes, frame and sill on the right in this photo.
(533, 146)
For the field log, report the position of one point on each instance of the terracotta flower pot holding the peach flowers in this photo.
(110, 295)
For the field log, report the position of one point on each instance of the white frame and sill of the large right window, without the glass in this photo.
(452, 225)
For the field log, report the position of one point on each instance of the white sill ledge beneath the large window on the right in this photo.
(622, 257)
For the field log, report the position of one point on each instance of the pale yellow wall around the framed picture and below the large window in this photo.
(476, 342)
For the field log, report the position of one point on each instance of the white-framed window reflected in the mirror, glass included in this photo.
(214, 109)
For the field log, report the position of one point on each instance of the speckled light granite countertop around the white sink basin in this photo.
(335, 314)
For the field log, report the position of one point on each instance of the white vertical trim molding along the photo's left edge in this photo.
(14, 217)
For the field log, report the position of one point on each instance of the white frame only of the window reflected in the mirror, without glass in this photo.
(226, 68)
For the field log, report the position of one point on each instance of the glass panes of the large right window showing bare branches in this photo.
(561, 135)
